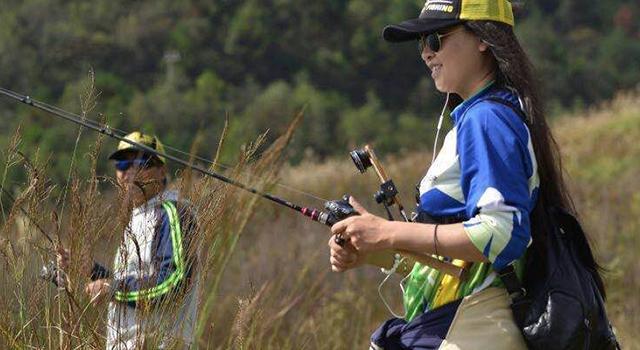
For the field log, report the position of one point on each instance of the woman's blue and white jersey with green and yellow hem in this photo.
(486, 177)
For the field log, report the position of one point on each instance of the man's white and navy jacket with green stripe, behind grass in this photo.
(155, 278)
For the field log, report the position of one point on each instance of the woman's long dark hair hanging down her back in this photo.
(515, 71)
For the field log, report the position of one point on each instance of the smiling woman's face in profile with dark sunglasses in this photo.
(461, 60)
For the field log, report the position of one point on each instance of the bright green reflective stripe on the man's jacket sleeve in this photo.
(178, 253)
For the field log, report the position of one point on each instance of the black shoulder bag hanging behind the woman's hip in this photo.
(562, 306)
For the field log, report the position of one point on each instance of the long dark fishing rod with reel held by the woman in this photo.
(337, 210)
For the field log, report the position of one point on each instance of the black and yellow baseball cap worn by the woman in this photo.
(439, 14)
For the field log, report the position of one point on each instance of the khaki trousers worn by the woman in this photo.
(484, 321)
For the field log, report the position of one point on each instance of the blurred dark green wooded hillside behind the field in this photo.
(176, 68)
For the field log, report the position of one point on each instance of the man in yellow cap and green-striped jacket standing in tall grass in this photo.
(152, 290)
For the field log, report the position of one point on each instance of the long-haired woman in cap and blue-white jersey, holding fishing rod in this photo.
(481, 200)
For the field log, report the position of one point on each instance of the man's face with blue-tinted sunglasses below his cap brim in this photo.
(139, 178)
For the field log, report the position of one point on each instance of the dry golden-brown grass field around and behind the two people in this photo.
(265, 279)
